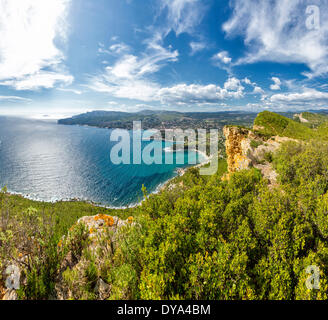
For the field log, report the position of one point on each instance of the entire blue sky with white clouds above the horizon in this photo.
(64, 57)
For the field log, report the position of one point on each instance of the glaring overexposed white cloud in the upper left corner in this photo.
(30, 30)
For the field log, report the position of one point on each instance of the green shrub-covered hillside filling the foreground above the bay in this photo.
(217, 237)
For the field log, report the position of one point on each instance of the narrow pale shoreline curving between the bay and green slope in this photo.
(179, 172)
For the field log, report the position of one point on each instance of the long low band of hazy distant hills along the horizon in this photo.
(185, 120)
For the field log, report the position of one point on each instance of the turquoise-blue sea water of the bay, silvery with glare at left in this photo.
(50, 162)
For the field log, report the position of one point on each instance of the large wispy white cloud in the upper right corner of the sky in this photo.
(276, 31)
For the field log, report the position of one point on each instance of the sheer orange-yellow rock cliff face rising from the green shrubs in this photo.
(237, 146)
